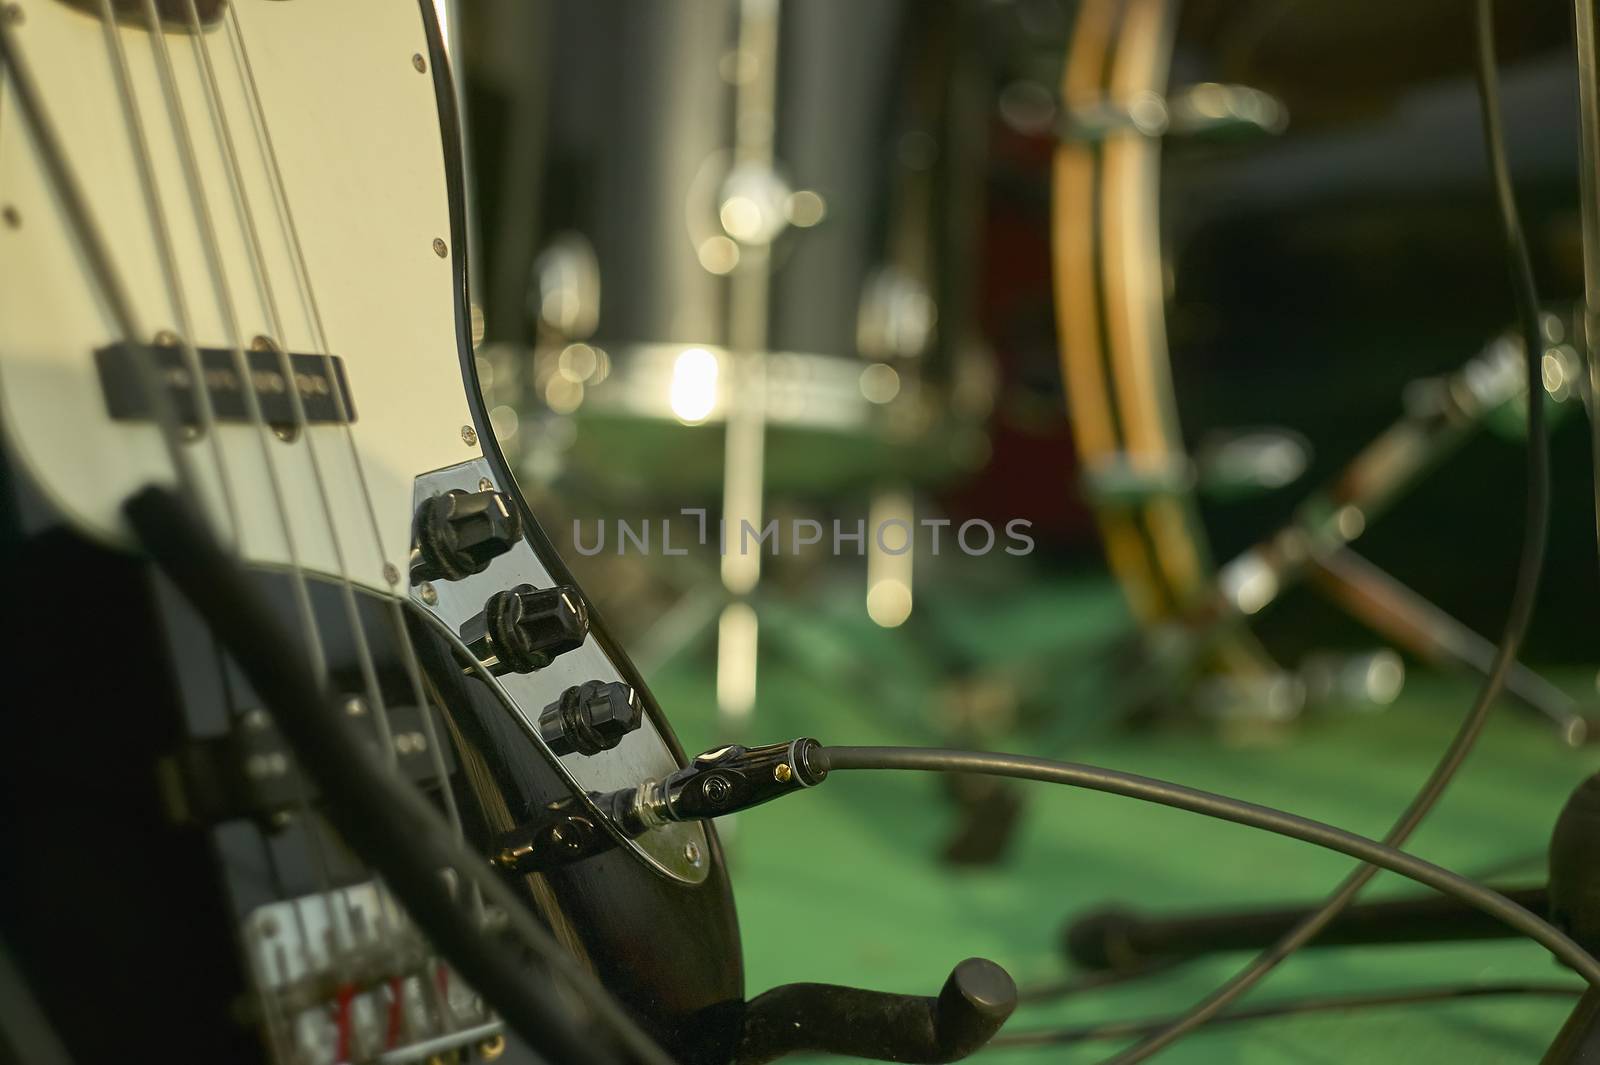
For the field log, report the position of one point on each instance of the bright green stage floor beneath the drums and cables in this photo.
(846, 885)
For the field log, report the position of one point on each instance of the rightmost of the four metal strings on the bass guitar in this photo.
(310, 295)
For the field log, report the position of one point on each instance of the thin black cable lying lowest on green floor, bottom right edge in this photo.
(1289, 1008)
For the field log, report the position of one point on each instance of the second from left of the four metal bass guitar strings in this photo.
(340, 933)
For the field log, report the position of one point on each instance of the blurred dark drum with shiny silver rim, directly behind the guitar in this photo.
(734, 207)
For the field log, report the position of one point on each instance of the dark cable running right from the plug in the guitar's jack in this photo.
(1231, 810)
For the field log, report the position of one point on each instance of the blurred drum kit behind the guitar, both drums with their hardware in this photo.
(748, 274)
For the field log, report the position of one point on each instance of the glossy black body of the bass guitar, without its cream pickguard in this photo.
(140, 872)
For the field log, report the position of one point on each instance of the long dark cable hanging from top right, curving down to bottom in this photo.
(1524, 594)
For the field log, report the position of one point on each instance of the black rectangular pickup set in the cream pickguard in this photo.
(319, 380)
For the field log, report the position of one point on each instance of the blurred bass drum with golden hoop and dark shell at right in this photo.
(1273, 233)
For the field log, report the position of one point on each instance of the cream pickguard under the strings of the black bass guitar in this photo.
(356, 134)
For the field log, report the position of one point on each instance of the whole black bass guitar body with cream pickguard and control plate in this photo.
(276, 189)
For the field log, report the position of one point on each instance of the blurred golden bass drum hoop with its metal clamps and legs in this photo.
(1142, 482)
